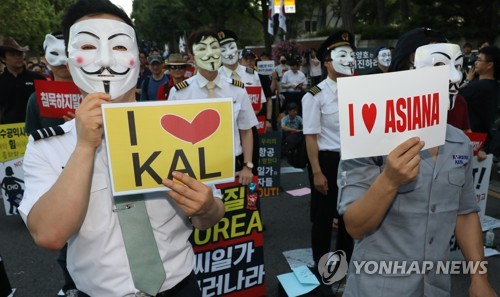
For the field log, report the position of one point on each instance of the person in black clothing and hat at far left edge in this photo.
(16, 82)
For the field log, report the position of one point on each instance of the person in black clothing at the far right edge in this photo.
(482, 95)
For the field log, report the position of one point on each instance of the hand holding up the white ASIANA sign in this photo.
(403, 162)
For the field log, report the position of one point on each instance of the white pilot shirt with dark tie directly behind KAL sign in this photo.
(243, 115)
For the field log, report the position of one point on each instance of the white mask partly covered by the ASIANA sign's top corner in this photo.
(443, 54)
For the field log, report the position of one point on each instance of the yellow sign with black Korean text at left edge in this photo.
(13, 141)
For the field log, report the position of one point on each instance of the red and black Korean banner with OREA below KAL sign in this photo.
(230, 255)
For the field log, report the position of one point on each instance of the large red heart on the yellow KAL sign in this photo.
(202, 126)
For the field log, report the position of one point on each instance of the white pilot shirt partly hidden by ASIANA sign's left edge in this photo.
(320, 115)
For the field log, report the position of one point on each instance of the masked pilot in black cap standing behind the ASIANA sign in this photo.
(322, 133)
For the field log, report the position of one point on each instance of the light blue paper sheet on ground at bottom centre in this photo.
(298, 282)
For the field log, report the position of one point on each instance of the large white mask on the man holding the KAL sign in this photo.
(103, 56)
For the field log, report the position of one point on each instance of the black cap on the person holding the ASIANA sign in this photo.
(410, 41)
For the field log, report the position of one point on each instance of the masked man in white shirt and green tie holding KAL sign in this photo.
(69, 199)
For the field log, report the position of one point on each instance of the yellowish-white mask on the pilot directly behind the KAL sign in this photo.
(207, 54)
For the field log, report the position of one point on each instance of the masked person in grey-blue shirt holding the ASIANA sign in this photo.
(402, 209)
